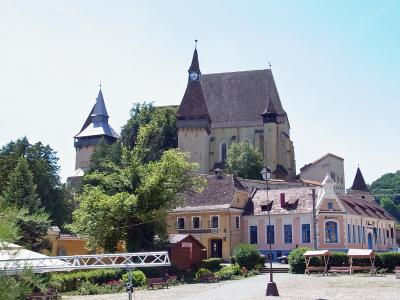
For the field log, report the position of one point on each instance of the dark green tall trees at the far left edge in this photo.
(38, 165)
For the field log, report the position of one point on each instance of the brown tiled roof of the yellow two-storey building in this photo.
(218, 192)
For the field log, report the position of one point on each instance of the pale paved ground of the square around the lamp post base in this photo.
(290, 287)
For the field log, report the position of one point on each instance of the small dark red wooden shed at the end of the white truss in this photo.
(185, 251)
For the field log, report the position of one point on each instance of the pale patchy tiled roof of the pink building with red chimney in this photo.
(301, 194)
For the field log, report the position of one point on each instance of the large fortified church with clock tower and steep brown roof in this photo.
(224, 108)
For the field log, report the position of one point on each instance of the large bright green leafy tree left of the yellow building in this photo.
(130, 202)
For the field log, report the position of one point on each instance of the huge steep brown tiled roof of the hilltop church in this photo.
(239, 98)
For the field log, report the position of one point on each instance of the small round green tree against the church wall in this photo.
(244, 161)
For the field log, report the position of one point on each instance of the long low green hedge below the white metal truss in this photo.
(65, 282)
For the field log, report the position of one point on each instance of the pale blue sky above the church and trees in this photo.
(336, 65)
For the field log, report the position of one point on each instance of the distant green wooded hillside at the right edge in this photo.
(387, 190)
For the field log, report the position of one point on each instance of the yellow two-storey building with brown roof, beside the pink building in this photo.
(213, 216)
